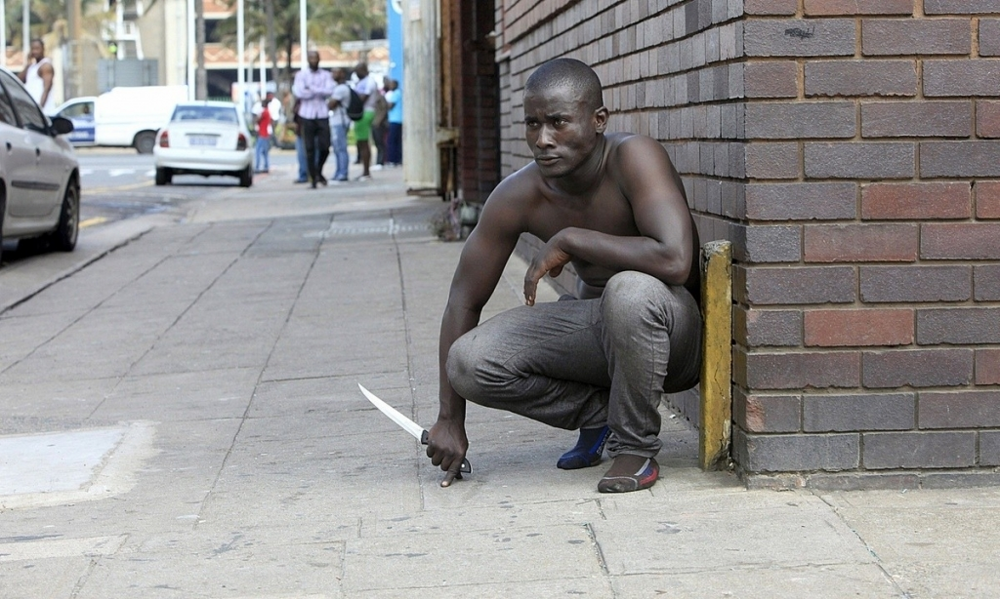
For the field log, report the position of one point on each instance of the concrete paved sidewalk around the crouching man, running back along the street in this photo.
(181, 418)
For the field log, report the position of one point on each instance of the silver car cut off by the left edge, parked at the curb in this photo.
(39, 174)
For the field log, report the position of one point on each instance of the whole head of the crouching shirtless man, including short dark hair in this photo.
(564, 115)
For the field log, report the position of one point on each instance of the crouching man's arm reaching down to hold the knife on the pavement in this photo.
(479, 269)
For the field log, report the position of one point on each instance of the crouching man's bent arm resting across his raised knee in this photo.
(663, 248)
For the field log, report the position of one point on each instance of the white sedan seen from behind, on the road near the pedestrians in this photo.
(204, 138)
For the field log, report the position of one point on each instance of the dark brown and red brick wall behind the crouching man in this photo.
(851, 151)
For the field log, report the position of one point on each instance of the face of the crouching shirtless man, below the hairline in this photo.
(561, 130)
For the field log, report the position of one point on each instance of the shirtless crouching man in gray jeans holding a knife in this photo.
(613, 206)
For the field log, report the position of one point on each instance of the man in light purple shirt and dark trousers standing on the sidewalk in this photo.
(313, 87)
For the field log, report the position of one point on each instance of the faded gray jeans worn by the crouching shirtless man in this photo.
(583, 363)
